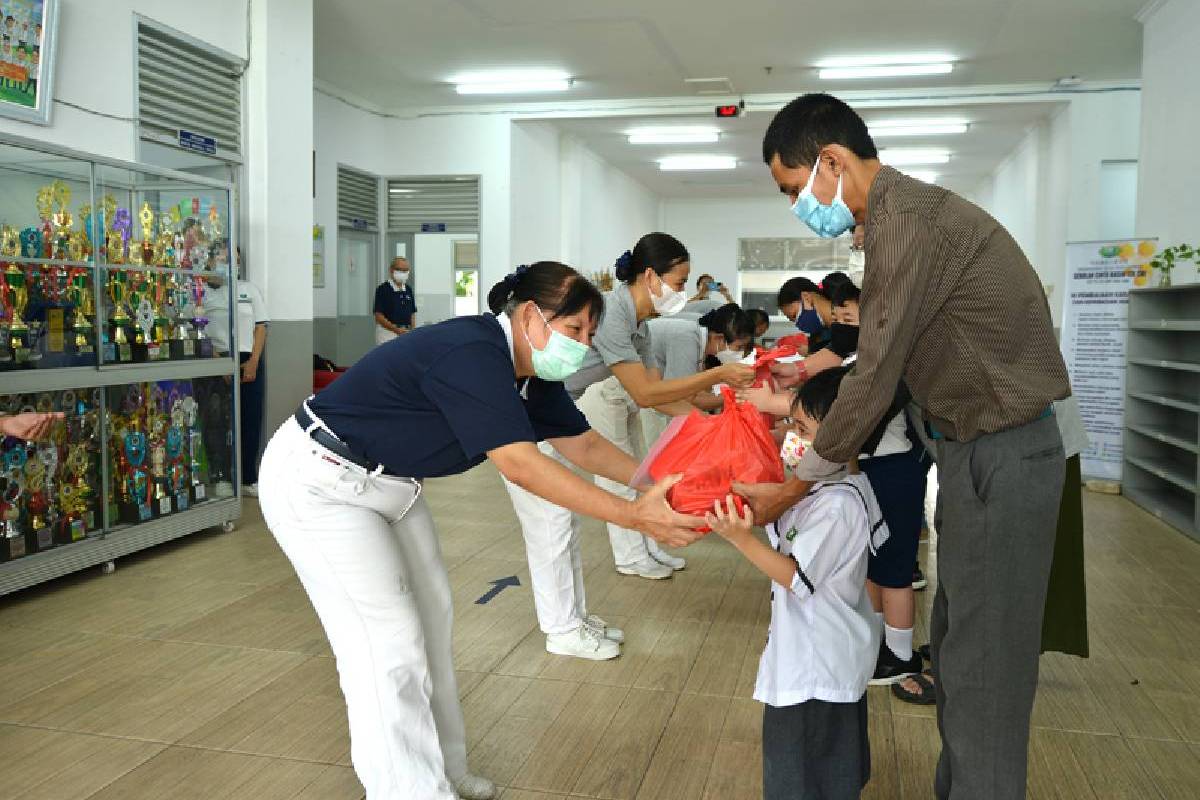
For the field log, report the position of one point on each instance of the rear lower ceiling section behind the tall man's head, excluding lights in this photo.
(994, 133)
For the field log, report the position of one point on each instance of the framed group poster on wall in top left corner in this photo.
(27, 59)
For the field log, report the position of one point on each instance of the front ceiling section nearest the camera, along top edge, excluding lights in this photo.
(400, 56)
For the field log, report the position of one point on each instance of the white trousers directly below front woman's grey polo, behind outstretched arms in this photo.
(614, 414)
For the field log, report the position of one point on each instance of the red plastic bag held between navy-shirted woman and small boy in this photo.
(715, 452)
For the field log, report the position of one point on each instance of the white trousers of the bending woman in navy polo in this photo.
(368, 555)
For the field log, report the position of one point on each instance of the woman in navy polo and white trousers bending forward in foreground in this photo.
(341, 491)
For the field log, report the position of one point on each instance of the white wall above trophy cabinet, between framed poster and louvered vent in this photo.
(94, 67)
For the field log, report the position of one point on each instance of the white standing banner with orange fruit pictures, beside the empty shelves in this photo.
(1095, 327)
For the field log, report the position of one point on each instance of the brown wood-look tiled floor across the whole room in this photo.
(200, 671)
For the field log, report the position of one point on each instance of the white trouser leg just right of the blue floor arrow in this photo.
(556, 562)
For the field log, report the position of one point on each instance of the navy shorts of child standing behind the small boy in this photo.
(899, 486)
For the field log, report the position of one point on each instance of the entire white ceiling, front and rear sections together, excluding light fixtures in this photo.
(401, 57)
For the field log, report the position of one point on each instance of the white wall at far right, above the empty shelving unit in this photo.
(1169, 170)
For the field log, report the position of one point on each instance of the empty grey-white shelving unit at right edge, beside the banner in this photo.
(1162, 438)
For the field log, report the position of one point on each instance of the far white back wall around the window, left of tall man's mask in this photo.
(711, 230)
